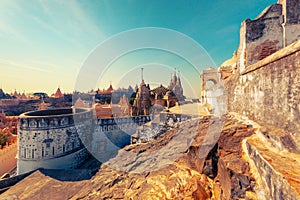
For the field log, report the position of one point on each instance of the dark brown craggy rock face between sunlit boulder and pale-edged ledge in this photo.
(233, 170)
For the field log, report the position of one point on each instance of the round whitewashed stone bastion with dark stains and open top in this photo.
(52, 139)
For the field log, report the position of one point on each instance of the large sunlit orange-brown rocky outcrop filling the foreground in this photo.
(203, 161)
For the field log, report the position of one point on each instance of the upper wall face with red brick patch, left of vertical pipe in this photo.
(261, 37)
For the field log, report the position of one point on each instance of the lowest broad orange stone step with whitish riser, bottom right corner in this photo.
(276, 172)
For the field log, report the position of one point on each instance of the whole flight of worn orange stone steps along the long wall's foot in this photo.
(274, 162)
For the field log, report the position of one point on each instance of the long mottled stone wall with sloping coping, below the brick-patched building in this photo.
(269, 90)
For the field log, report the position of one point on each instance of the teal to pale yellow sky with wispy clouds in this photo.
(46, 44)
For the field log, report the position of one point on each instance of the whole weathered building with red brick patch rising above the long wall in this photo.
(276, 27)
